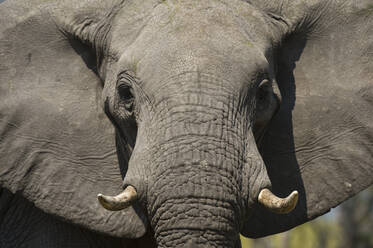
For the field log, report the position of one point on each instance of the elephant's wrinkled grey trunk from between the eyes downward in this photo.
(198, 187)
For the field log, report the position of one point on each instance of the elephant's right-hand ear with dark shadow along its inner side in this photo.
(321, 140)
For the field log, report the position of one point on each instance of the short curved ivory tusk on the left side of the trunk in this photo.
(119, 202)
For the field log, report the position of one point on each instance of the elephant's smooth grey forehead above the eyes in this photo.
(200, 37)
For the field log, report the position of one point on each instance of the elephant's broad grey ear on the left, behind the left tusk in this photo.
(57, 147)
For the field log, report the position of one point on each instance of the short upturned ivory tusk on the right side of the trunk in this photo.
(276, 204)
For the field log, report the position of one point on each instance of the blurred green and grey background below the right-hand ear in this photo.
(350, 225)
